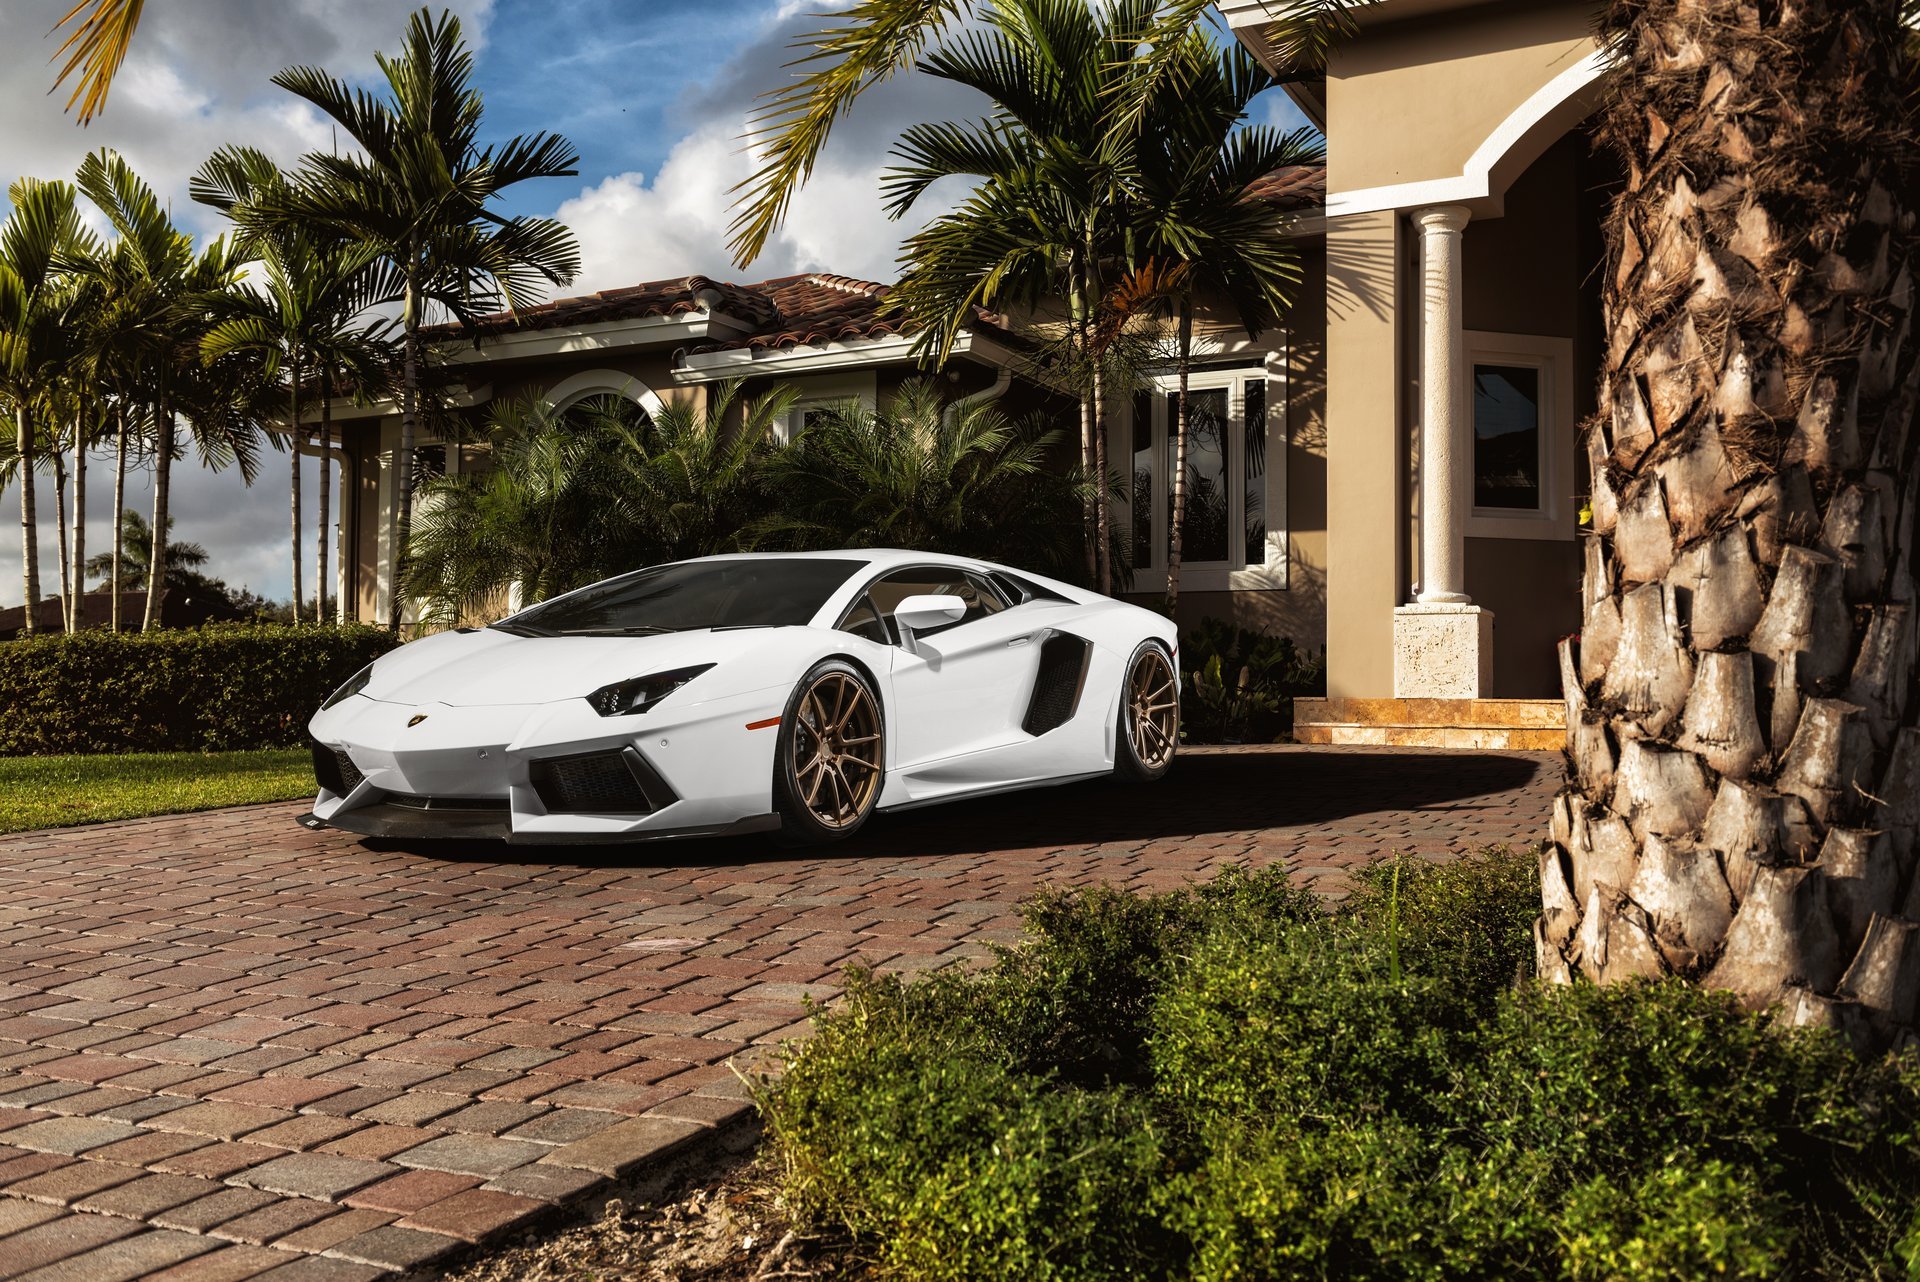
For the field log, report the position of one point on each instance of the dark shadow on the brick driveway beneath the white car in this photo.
(1205, 794)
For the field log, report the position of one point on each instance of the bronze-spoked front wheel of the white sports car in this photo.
(832, 755)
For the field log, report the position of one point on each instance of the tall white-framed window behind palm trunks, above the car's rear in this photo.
(1236, 525)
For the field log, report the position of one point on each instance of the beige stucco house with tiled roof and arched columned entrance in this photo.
(1397, 475)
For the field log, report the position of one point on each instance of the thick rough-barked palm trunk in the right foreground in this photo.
(1744, 759)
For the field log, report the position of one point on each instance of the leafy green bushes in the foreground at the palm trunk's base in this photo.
(1234, 1083)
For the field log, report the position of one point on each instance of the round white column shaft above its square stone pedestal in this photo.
(1443, 377)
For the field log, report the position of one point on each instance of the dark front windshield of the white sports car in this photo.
(767, 592)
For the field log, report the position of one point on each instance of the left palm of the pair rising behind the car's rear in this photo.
(1051, 212)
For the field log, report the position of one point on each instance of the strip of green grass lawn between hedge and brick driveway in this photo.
(57, 792)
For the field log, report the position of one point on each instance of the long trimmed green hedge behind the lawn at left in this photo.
(204, 690)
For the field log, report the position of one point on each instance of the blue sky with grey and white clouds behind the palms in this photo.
(654, 93)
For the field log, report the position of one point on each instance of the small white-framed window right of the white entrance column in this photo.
(1518, 429)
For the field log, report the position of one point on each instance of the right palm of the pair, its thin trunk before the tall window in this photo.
(1201, 218)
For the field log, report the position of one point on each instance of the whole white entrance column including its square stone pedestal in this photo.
(1443, 642)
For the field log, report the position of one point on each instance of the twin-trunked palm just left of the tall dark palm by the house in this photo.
(300, 321)
